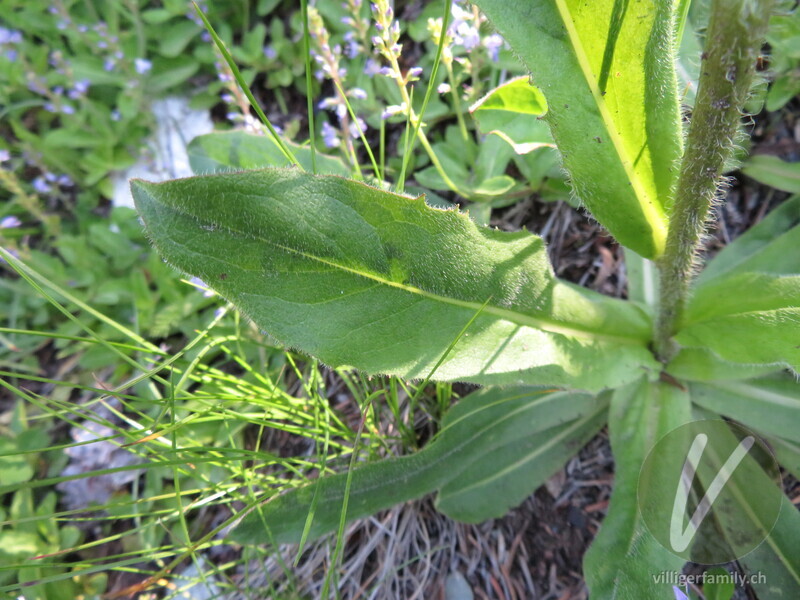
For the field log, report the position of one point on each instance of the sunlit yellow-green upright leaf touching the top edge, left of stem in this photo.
(607, 72)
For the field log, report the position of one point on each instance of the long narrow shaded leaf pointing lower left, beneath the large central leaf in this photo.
(483, 422)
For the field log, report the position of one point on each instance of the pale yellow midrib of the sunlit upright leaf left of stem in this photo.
(651, 211)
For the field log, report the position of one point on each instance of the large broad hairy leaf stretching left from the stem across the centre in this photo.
(381, 282)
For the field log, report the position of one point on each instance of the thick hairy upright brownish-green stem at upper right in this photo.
(733, 40)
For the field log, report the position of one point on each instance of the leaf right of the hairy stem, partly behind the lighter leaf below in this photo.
(770, 246)
